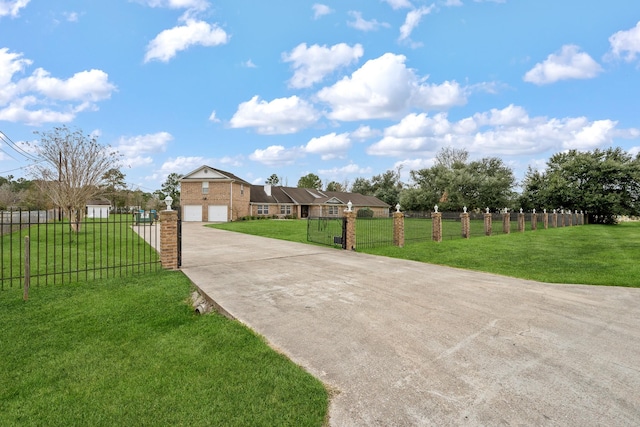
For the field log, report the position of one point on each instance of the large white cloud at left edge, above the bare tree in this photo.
(41, 98)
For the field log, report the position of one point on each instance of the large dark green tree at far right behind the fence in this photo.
(604, 183)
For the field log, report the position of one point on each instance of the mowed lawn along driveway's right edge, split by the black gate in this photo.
(589, 254)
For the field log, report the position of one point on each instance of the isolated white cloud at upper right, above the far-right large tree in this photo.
(569, 63)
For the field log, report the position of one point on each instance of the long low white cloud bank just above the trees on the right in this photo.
(510, 131)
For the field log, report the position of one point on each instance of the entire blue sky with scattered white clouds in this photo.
(342, 89)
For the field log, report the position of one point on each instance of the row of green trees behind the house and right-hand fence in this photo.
(605, 184)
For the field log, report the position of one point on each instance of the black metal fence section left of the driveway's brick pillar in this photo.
(38, 246)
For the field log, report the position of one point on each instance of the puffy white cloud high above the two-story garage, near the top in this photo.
(194, 32)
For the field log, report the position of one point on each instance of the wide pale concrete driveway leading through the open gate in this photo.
(410, 344)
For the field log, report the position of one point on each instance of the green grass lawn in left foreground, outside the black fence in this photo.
(132, 352)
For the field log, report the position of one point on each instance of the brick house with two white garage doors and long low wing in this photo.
(212, 195)
